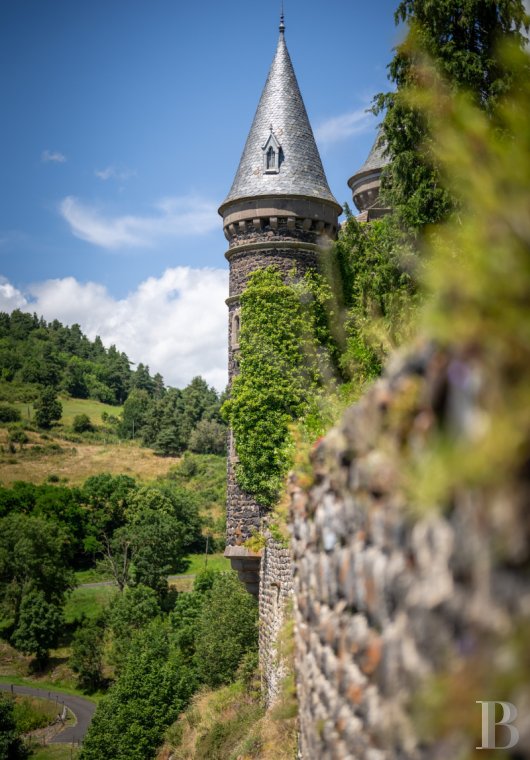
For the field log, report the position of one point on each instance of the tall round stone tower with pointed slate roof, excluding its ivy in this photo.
(277, 212)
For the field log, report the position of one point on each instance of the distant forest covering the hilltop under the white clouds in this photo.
(36, 356)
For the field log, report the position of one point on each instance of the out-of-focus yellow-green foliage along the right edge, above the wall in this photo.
(478, 281)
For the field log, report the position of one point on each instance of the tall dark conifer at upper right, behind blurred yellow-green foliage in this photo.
(462, 39)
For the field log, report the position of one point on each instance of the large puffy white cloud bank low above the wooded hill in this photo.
(176, 323)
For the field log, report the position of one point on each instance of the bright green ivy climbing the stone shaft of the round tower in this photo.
(286, 360)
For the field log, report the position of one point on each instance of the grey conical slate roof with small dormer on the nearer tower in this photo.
(281, 111)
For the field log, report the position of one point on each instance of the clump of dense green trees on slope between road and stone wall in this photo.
(163, 661)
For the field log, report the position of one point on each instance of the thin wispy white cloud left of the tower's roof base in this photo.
(173, 217)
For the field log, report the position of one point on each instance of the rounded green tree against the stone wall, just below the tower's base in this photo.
(220, 647)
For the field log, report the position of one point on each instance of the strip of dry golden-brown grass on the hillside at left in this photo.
(74, 463)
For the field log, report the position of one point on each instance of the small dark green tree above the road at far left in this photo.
(39, 625)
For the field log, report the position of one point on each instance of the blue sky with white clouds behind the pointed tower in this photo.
(123, 125)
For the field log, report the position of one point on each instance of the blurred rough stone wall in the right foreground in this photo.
(389, 600)
